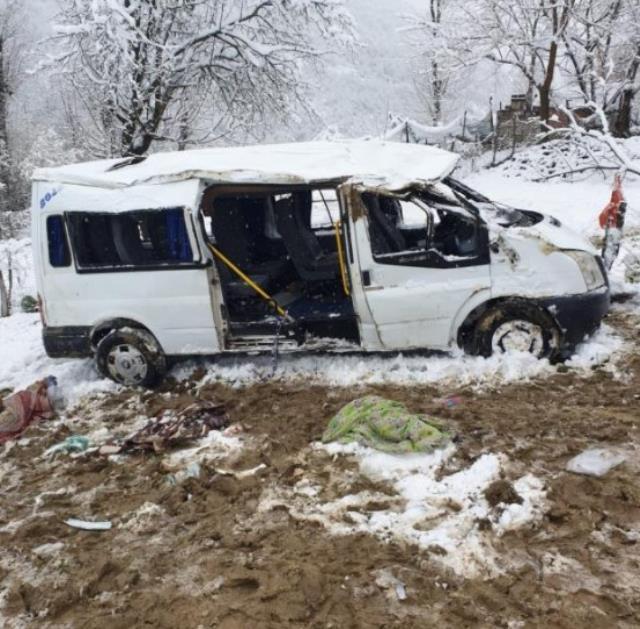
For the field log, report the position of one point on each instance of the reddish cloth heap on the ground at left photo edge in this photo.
(21, 409)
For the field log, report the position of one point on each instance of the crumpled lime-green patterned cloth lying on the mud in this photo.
(385, 425)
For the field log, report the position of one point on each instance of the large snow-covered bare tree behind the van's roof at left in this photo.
(146, 70)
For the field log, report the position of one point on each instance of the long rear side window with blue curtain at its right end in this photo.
(140, 239)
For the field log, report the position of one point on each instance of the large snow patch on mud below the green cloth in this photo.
(448, 516)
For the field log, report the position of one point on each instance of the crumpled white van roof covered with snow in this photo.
(374, 162)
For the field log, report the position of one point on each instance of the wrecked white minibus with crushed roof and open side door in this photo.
(336, 246)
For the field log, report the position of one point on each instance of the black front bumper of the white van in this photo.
(578, 316)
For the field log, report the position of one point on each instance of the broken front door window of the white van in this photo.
(420, 232)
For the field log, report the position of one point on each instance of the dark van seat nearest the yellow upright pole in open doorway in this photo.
(293, 219)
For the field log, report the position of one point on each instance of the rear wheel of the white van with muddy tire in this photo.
(131, 357)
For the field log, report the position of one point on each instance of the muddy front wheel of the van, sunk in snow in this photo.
(516, 326)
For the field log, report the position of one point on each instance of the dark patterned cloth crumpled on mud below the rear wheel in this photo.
(171, 431)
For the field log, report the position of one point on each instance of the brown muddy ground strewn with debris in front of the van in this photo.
(200, 553)
